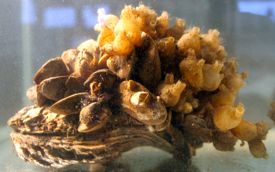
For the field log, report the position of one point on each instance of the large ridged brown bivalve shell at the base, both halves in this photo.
(52, 140)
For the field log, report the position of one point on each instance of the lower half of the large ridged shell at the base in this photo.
(56, 151)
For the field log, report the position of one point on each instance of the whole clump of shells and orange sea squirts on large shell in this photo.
(142, 82)
